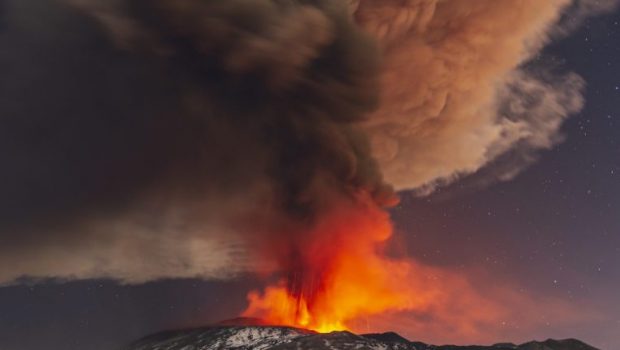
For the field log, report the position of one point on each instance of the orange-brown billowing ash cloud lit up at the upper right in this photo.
(461, 86)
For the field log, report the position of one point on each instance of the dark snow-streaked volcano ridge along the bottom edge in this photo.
(252, 334)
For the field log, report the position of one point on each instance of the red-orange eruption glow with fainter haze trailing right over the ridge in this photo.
(339, 277)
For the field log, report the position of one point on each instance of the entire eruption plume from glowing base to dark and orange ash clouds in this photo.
(278, 125)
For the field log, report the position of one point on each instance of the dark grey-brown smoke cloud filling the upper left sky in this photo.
(136, 134)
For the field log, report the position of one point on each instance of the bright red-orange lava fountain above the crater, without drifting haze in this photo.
(338, 272)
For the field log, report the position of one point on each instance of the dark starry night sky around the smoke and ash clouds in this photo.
(552, 232)
